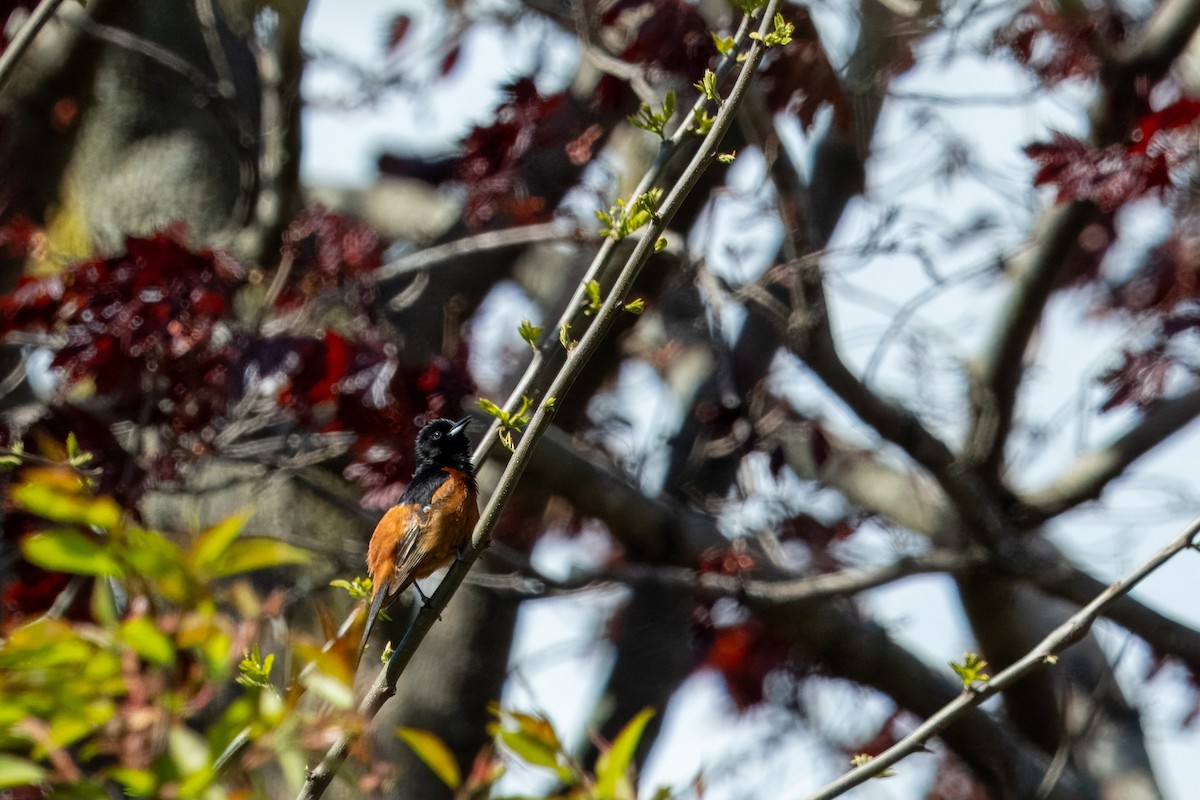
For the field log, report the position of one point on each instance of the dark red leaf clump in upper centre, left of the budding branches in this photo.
(491, 167)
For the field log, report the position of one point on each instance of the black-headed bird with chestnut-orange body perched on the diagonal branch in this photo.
(433, 521)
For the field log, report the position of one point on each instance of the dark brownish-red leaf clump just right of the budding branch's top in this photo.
(802, 80)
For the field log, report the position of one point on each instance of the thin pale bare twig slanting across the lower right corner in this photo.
(1046, 653)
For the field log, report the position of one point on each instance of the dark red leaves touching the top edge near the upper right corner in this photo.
(1058, 46)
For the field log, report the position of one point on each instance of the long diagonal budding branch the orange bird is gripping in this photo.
(385, 685)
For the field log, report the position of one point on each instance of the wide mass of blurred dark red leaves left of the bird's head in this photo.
(155, 338)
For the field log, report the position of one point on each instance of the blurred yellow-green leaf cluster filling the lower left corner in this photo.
(153, 654)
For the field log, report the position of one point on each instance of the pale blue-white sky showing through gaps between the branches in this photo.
(1137, 516)
